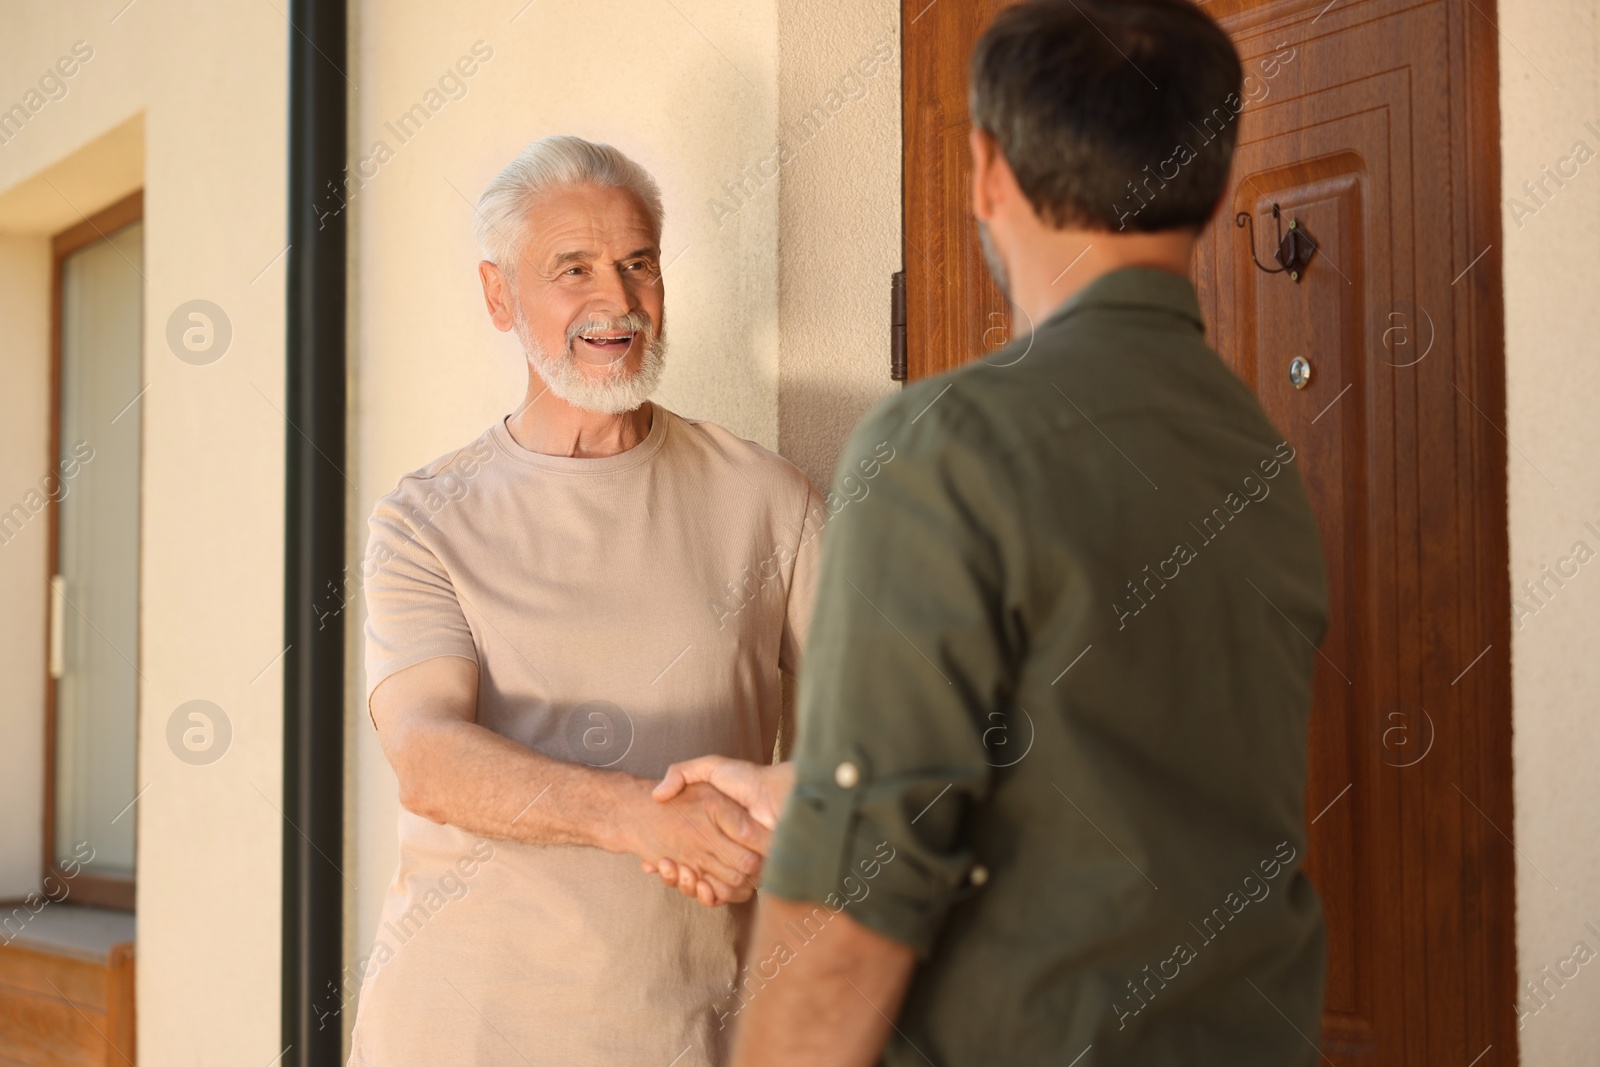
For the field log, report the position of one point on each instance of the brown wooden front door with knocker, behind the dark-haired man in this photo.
(1374, 129)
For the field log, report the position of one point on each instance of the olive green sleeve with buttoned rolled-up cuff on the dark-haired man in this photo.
(908, 658)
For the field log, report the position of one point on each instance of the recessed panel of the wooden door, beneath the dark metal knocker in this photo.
(1276, 322)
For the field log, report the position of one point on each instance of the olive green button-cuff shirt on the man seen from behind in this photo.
(1054, 714)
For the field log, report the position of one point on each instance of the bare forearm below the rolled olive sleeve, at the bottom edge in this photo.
(831, 1001)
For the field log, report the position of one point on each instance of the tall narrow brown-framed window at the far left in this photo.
(94, 693)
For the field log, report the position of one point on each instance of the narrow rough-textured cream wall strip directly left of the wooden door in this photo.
(841, 228)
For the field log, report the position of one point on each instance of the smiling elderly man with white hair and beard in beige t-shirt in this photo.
(548, 631)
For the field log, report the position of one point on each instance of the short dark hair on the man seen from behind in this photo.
(1113, 114)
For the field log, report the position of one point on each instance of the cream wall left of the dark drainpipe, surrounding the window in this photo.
(210, 82)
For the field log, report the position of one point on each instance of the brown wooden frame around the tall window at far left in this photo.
(84, 889)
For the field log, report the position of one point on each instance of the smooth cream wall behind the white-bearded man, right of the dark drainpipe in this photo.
(686, 87)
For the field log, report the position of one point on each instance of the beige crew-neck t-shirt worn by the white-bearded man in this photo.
(626, 613)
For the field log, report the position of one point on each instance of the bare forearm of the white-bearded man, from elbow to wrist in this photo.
(473, 778)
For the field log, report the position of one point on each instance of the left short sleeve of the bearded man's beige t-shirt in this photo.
(414, 612)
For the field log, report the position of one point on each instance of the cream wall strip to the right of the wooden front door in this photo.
(1550, 106)
